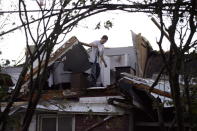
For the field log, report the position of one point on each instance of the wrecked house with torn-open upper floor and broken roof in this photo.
(122, 103)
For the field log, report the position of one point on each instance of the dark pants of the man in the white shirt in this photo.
(95, 72)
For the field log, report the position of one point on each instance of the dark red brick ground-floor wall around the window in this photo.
(84, 121)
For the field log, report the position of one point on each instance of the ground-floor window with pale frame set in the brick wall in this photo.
(56, 123)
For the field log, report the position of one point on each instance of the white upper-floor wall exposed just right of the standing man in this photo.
(116, 57)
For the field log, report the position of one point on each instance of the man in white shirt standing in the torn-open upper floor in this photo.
(96, 57)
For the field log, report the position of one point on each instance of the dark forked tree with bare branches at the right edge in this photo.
(180, 33)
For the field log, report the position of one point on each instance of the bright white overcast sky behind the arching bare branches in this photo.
(119, 35)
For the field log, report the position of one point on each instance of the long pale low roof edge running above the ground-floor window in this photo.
(76, 108)
